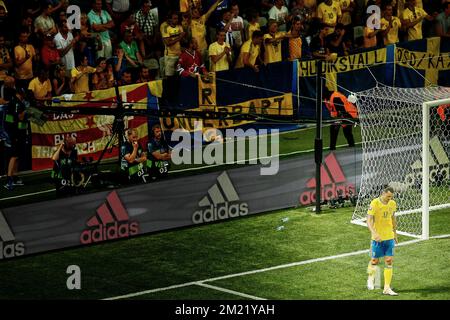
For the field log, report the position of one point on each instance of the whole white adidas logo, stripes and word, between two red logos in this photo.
(222, 202)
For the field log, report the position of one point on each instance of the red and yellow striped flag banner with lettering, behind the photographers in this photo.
(94, 131)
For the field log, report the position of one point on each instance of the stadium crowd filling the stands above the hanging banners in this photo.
(44, 53)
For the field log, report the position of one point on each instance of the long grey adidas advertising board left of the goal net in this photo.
(171, 203)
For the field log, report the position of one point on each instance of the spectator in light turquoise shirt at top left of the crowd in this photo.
(101, 22)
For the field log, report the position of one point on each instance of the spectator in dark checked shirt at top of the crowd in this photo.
(147, 23)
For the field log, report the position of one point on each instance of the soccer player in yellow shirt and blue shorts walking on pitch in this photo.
(382, 225)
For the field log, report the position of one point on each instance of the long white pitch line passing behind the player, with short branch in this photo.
(294, 264)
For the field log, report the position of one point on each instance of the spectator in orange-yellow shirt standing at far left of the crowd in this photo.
(24, 55)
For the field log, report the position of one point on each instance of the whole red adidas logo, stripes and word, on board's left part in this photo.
(110, 222)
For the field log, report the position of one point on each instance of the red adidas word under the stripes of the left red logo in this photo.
(109, 232)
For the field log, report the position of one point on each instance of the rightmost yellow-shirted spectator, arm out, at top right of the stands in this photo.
(412, 20)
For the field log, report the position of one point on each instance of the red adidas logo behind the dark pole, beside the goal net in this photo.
(333, 182)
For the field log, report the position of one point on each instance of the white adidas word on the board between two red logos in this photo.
(222, 212)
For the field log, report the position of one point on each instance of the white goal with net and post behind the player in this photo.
(406, 145)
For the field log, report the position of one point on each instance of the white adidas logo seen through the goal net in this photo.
(439, 164)
